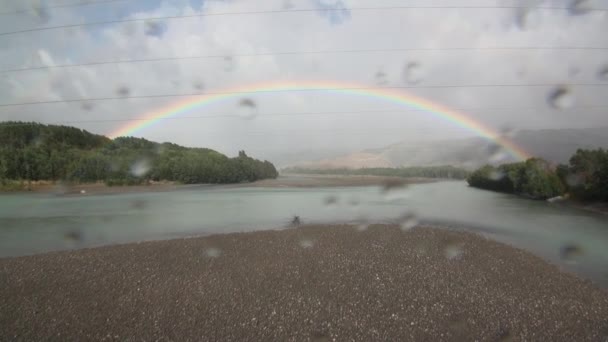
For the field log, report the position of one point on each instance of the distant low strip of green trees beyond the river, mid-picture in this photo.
(447, 172)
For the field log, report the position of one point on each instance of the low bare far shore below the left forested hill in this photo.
(299, 181)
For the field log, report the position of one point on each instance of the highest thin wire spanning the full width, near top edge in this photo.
(200, 15)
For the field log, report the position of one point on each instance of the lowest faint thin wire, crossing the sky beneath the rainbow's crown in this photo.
(323, 113)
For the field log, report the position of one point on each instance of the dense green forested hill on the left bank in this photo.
(37, 152)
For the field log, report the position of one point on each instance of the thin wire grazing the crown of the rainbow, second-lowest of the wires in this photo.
(299, 90)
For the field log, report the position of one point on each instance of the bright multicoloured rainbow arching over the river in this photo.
(392, 95)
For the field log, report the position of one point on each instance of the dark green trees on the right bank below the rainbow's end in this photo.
(585, 178)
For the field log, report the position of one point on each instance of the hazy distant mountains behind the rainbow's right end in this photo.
(553, 145)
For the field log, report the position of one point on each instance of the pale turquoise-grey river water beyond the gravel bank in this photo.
(36, 223)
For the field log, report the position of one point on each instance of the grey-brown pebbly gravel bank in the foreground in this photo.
(314, 283)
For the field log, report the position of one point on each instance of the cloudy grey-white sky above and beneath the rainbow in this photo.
(521, 65)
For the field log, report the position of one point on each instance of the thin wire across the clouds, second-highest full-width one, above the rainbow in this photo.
(290, 53)
